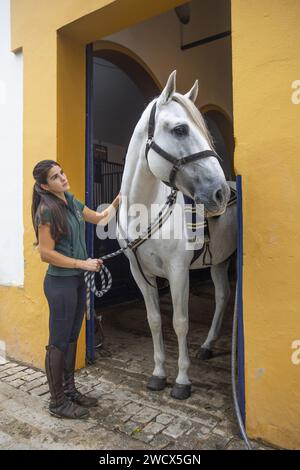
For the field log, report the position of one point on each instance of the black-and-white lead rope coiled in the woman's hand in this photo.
(105, 275)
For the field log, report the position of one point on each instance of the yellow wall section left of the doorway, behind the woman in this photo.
(53, 36)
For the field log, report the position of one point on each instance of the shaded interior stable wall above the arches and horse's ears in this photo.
(157, 41)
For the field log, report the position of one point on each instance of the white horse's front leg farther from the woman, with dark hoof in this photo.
(179, 285)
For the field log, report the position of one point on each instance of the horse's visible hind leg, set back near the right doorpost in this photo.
(219, 274)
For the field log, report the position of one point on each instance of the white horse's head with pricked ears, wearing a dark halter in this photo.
(177, 130)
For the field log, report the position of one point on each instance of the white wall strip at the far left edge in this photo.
(11, 166)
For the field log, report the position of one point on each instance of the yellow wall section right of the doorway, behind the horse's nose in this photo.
(266, 60)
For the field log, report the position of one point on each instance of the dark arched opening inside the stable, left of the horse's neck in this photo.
(122, 88)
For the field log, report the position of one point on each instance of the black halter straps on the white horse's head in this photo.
(177, 162)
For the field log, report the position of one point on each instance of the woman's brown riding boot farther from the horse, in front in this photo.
(60, 405)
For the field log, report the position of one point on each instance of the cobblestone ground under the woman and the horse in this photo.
(129, 416)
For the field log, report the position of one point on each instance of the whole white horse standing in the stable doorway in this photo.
(178, 128)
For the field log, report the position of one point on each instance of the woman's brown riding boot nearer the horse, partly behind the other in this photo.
(69, 382)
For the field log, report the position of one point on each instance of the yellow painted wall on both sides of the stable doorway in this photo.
(265, 62)
